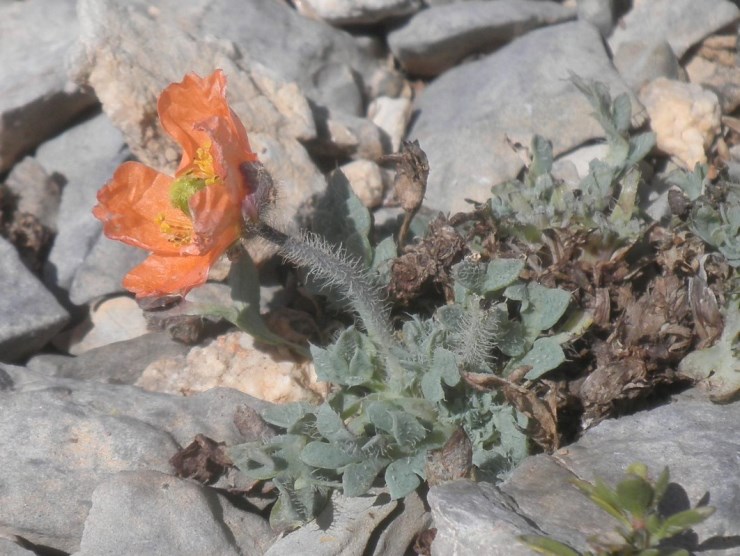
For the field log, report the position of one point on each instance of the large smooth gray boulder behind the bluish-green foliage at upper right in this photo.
(467, 113)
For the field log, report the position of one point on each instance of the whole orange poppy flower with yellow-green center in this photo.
(189, 220)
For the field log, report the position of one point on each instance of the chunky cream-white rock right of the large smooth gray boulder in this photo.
(685, 118)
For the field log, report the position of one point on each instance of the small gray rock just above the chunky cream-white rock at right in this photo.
(640, 62)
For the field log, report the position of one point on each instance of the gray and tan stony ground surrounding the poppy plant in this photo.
(96, 400)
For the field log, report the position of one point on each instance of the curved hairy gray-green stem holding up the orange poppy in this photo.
(334, 268)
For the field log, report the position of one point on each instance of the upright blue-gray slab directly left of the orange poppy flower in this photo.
(85, 156)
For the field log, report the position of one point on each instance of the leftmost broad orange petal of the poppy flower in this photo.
(131, 204)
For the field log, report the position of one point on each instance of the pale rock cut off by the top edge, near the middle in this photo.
(341, 12)
